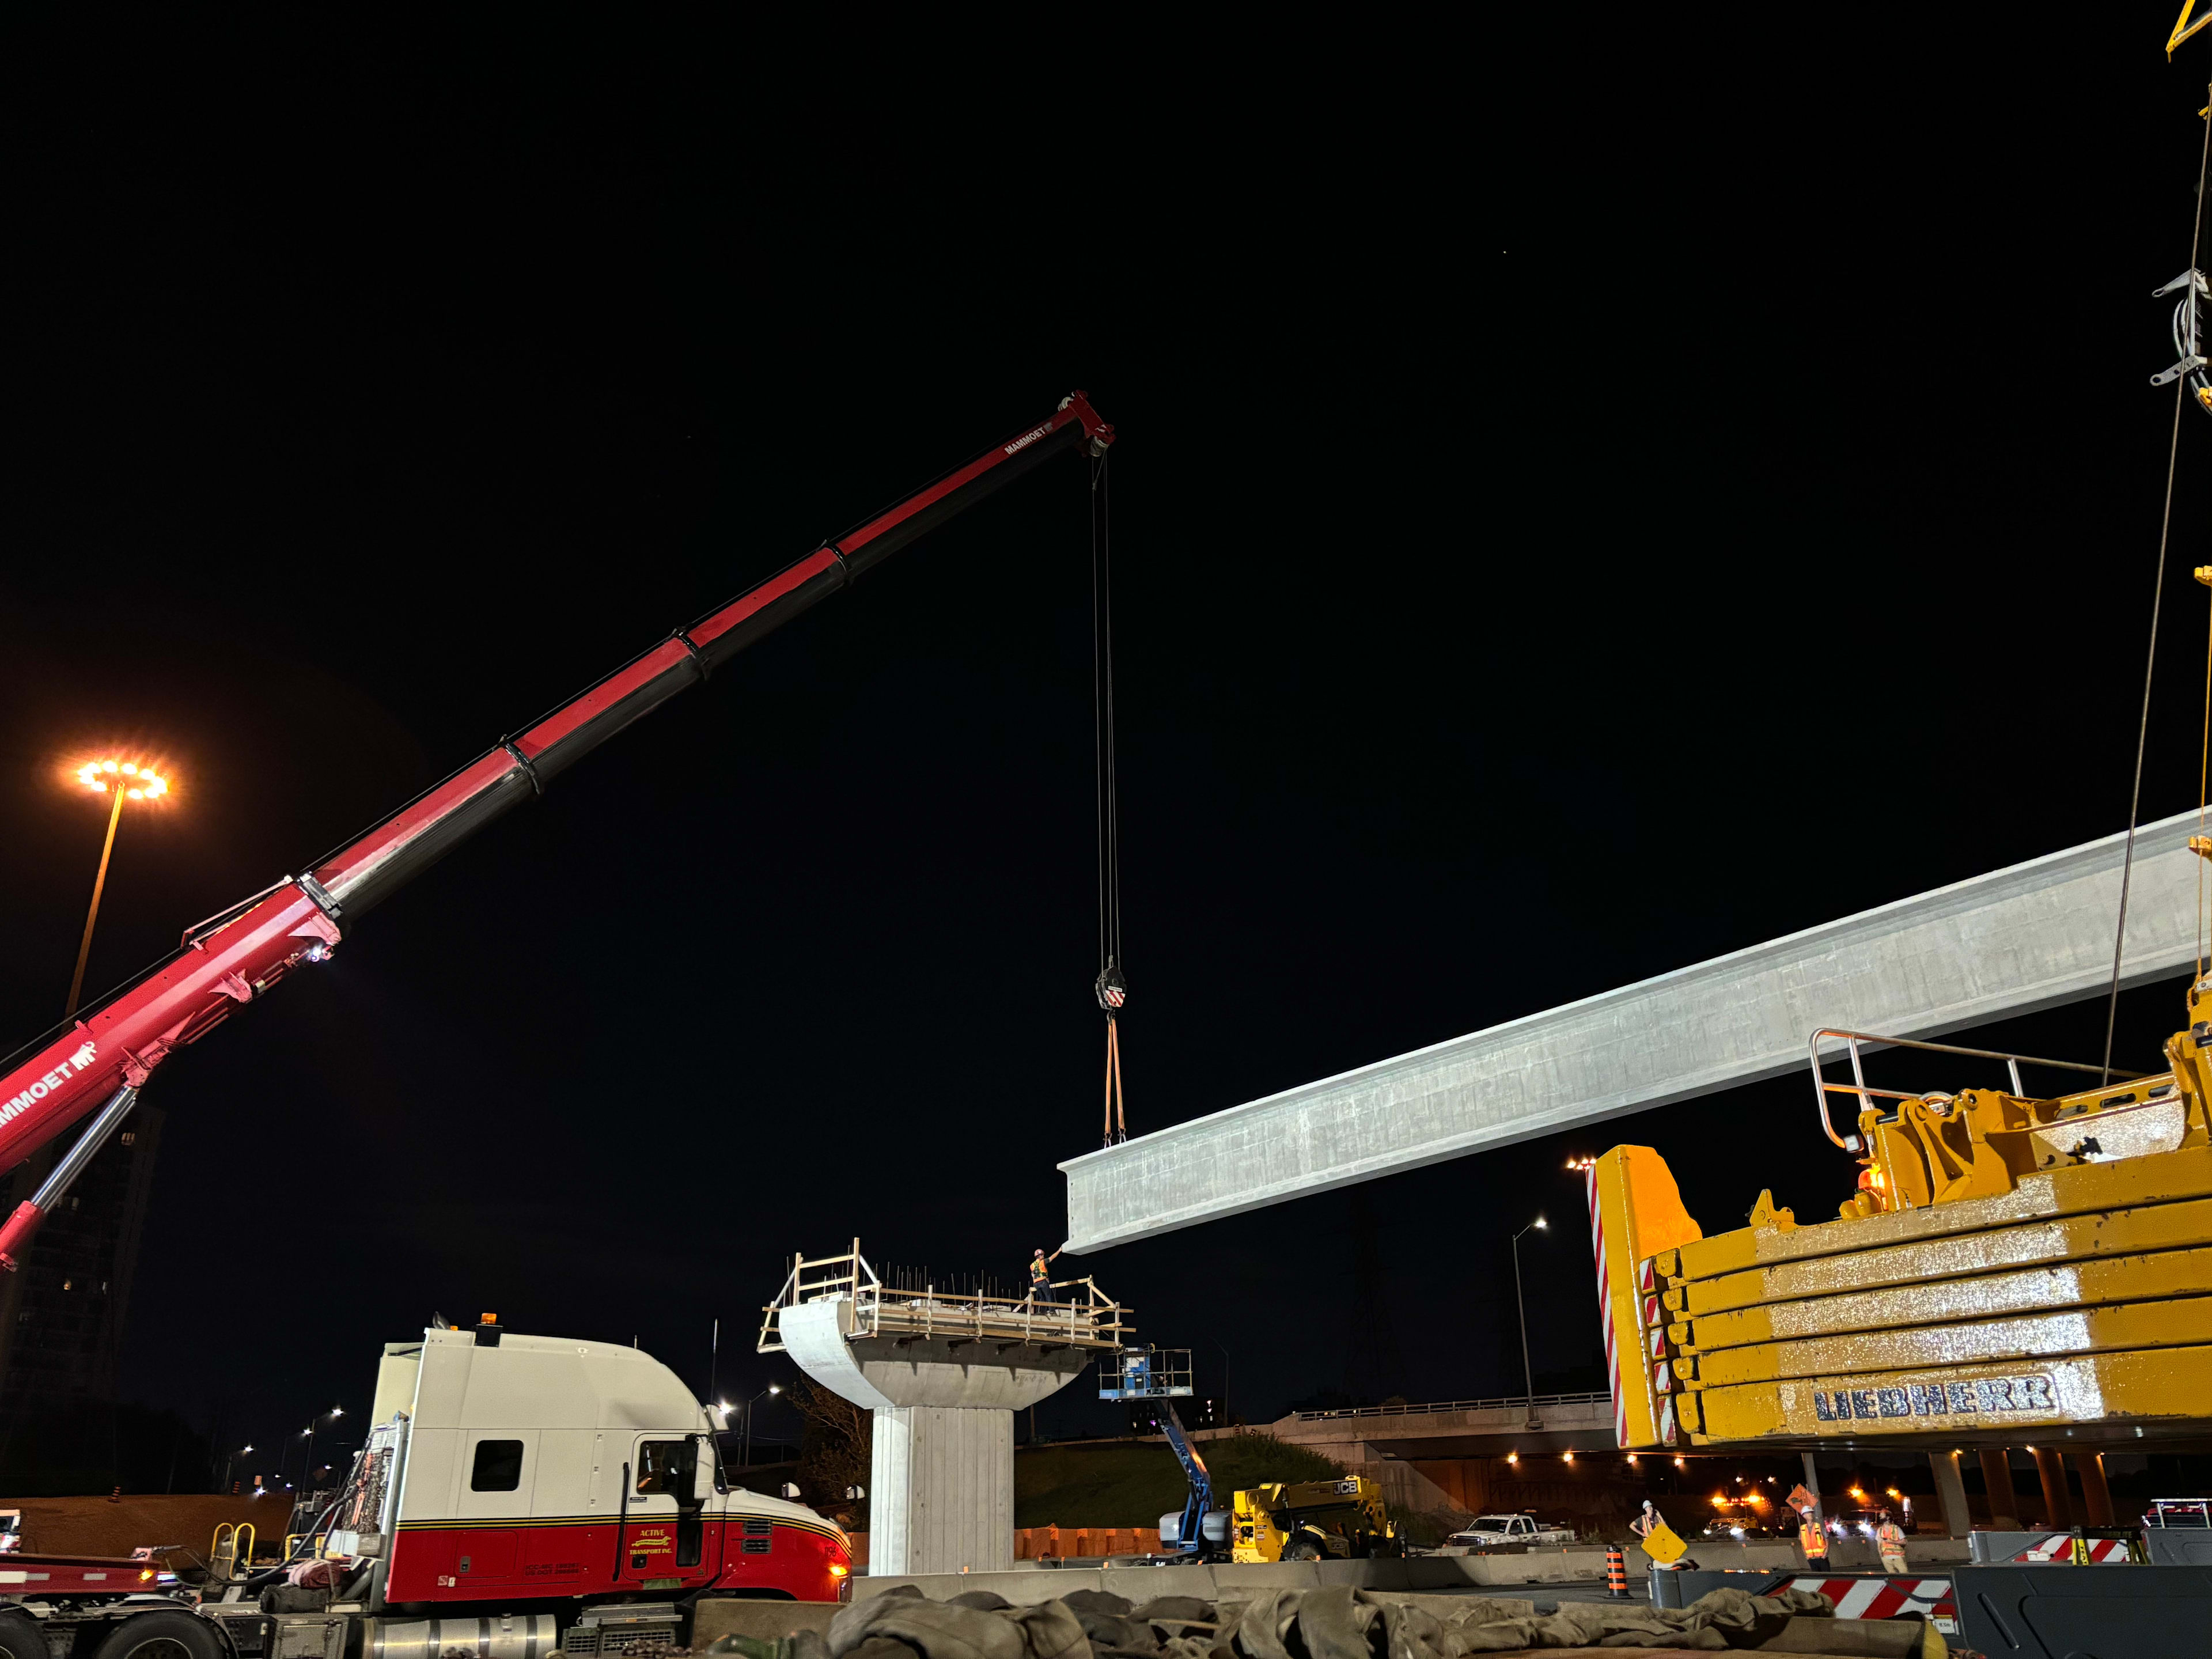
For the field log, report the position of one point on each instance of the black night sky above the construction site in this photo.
(1585, 505)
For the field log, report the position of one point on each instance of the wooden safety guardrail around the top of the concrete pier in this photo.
(1076, 1313)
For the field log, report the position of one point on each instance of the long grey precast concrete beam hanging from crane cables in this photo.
(2016, 941)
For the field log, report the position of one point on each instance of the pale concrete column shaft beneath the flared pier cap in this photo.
(941, 1490)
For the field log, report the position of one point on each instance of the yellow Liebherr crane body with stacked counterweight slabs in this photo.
(2007, 1269)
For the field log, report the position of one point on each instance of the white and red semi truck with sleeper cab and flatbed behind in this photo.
(517, 1496)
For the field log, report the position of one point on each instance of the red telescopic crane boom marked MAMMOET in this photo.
(238, 954)
